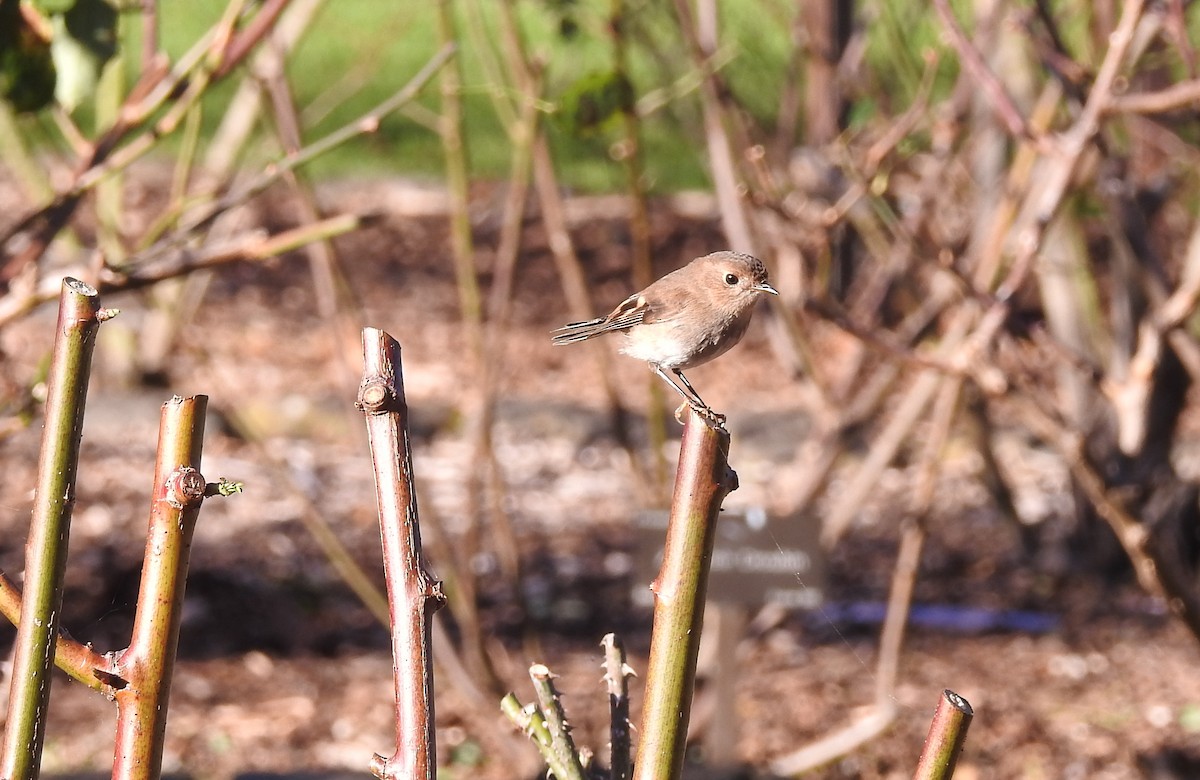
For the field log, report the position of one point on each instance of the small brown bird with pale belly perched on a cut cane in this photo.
(685, 320)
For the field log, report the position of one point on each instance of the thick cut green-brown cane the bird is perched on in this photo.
(701, 484)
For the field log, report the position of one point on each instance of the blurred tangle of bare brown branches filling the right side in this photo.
(1000, 249)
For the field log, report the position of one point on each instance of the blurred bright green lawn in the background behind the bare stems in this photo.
(359, 52)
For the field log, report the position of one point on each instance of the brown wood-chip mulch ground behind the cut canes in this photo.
(284, 671)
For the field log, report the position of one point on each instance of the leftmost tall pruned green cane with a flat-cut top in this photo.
(46, 553)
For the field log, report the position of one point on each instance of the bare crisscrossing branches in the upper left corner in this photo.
(193, 231)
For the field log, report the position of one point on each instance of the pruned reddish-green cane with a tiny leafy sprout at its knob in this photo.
(147, 665)
